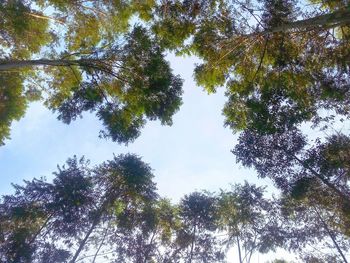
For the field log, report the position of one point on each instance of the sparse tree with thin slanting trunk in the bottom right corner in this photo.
(315, 229)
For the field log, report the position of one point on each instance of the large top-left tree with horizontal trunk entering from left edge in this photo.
(98, 62)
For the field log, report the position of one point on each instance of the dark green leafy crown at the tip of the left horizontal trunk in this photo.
(142, 88)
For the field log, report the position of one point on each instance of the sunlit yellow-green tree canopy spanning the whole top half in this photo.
(297, 56)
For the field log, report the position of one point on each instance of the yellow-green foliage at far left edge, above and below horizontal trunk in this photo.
(20, 36)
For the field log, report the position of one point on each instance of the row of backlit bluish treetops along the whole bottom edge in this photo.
(113, 211)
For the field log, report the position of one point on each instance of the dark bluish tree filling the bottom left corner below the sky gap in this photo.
(40, 214)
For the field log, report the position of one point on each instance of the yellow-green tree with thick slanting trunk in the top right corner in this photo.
(268, 37)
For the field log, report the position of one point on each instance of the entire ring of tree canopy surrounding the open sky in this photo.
(285, 67)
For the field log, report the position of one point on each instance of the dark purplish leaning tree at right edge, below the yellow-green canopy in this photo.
(287, 159)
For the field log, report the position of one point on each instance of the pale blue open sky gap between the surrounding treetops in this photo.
(192, 154)
